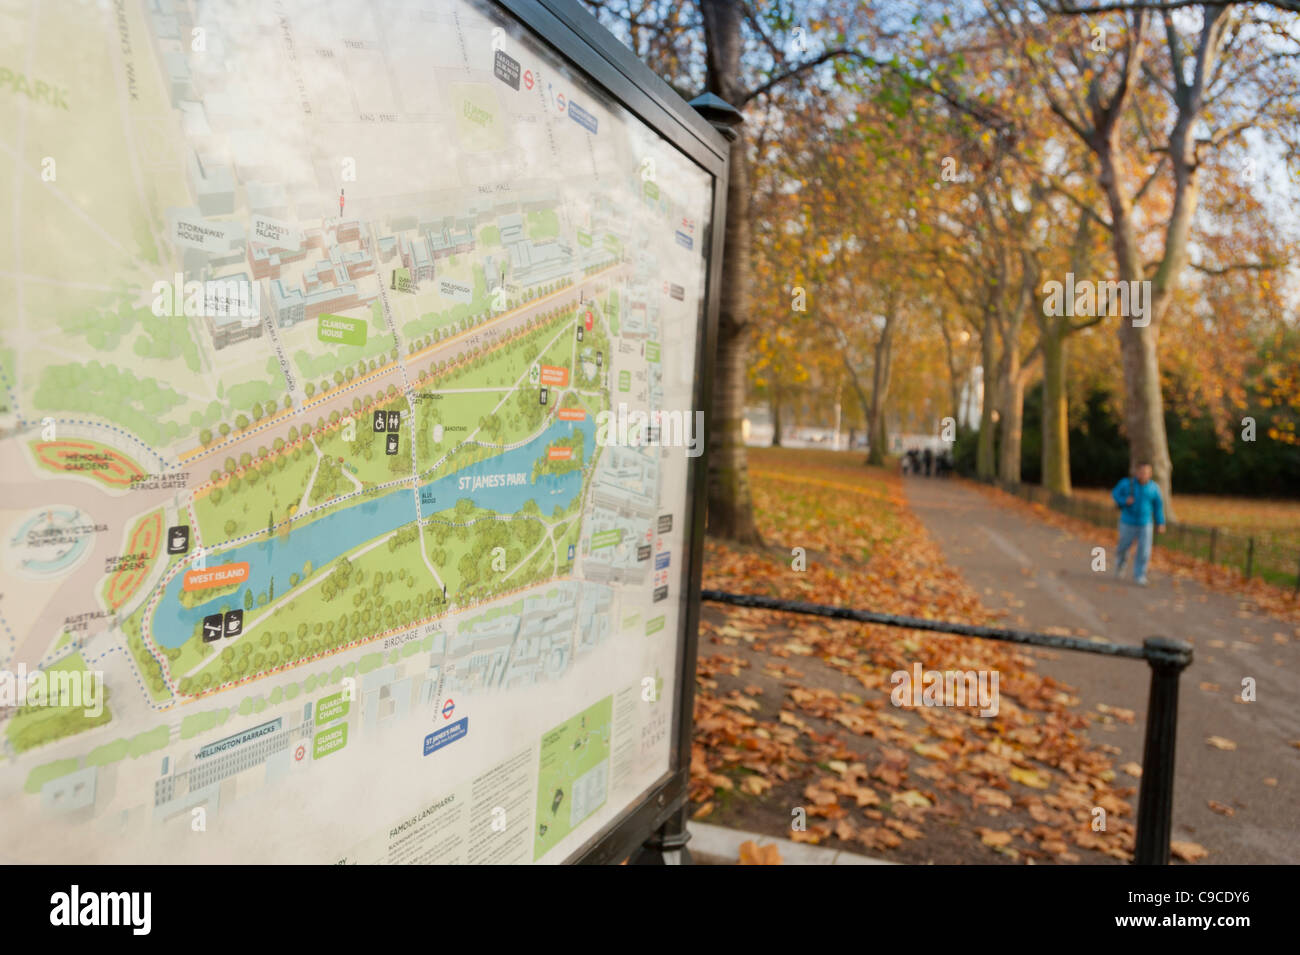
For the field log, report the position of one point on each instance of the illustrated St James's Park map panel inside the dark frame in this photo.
(348, 379)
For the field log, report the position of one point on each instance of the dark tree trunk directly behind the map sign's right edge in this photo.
(731, 510)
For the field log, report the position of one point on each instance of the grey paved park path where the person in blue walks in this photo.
(1043, 578)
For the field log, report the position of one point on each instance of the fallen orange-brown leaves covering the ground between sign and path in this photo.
(795, 713)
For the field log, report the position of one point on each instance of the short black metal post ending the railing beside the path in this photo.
(1168, 659)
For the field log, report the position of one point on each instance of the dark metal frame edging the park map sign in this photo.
(578, 38)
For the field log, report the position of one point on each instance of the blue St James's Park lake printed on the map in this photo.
(327, 539)
